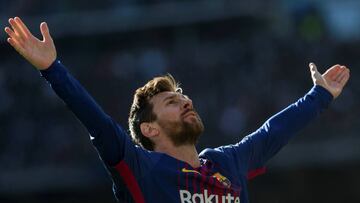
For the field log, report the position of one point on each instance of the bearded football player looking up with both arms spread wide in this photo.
(165, 165)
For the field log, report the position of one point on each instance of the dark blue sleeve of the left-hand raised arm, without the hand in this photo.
(108, 137)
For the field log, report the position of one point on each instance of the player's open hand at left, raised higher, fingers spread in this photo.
(40, 54)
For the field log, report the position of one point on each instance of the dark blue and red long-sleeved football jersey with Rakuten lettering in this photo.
(142, 176)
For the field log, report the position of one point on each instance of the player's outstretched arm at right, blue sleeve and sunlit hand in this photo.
(258, 147)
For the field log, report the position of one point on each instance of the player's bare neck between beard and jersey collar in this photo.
(186, 153)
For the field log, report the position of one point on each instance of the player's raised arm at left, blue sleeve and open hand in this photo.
(108, 137)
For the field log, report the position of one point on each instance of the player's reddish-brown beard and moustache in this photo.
(183, 132)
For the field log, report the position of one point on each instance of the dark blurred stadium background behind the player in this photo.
(240, 62)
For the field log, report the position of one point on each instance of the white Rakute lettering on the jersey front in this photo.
(187, 197)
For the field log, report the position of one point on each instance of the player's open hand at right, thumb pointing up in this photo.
(334, 79)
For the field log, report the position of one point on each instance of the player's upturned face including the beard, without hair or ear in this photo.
(177, 117)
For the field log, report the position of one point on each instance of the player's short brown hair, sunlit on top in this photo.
(142, 110)
